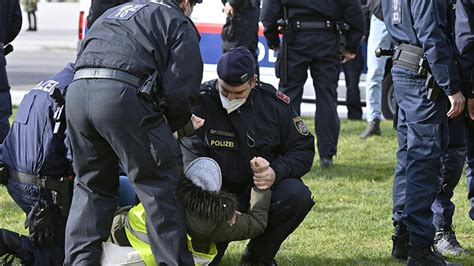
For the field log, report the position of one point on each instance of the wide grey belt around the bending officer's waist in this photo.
(107, 73)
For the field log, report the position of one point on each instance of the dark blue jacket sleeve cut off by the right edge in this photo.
(464, 29)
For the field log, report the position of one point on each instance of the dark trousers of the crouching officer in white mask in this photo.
(291, 201)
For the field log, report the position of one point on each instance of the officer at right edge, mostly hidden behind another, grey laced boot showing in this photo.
(453, 160)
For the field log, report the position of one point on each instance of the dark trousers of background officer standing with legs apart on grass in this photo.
(317, 51)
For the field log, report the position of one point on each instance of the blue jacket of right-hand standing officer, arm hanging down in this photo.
(426, 24)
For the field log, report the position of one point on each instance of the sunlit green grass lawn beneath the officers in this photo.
(350, 223)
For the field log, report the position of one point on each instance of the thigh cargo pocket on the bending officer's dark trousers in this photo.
(163, 146)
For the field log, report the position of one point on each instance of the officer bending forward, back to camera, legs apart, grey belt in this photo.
(137, 74)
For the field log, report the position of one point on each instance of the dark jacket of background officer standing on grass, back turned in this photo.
(348, 11)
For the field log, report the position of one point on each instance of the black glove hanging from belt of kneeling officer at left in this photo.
(40, 224)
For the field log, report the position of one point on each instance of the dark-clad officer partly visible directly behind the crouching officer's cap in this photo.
(241, 26)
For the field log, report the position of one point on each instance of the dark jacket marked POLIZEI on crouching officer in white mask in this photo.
(265, 126)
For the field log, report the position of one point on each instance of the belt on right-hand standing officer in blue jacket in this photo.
(412, 58)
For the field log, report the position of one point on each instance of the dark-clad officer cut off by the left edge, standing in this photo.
(10, 25)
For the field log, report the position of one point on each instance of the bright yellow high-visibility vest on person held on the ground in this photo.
(135, 230)
